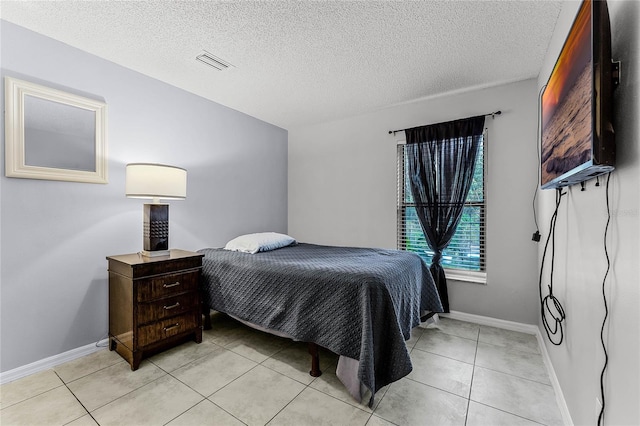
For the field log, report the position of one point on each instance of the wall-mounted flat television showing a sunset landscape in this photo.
(577, 138)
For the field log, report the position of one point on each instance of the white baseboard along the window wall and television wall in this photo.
(523, 328)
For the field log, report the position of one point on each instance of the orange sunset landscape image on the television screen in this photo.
(566, 103)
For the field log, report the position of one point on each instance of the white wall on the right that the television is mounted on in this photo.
(580, 259)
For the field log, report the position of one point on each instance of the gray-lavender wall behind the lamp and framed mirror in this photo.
(54, 236)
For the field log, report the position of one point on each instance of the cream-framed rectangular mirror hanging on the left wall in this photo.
(53, 135)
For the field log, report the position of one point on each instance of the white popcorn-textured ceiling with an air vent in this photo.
(303, 62)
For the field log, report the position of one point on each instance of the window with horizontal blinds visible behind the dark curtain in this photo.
(464, 258)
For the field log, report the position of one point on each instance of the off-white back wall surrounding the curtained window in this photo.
(342, 189)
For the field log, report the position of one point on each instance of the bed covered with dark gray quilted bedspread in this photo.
(359, 303)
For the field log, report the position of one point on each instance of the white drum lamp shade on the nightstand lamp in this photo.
(155, 181)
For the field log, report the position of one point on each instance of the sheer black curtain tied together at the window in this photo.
(441, 160)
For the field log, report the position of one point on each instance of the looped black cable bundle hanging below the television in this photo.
(550, 298)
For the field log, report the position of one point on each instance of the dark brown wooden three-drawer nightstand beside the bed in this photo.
(154, 302)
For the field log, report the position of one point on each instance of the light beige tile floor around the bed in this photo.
(464, 374)
